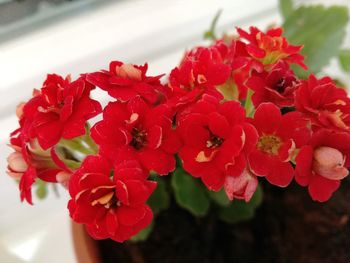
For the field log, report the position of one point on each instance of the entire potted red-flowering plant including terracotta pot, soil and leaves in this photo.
(174, 170)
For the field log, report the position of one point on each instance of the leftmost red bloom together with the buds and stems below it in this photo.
(59, 110)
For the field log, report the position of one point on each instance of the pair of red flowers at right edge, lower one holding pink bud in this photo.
(323, 162)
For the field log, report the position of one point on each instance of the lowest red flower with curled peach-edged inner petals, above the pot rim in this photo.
(110, 204)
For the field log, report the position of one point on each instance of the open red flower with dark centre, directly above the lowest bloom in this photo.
(136, 131)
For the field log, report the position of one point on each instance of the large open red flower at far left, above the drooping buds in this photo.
(60, 110)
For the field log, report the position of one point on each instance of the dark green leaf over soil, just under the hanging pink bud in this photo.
(239, 210)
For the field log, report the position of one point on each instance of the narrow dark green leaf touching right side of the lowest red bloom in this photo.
(159, 199)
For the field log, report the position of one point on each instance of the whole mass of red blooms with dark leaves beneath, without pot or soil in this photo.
(231, 116)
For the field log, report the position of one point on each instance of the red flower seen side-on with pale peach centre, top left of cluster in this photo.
(126, 81)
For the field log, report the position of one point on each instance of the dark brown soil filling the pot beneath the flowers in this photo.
(288, 228)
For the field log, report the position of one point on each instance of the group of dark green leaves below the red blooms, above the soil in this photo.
(191, 195)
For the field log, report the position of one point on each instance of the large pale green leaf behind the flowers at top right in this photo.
(321, 30)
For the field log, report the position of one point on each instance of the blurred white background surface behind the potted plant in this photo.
(71, 37)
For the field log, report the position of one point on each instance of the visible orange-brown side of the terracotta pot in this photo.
(86, 250)
